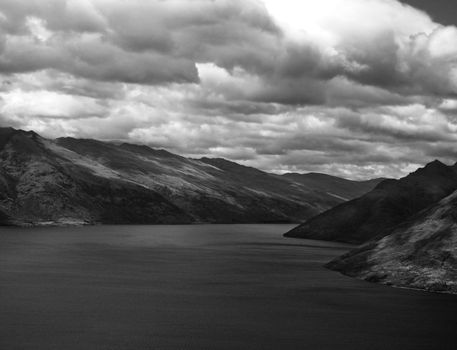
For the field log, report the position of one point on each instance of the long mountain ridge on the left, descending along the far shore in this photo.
(70, 180)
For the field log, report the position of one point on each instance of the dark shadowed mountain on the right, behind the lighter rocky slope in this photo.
(376, 213)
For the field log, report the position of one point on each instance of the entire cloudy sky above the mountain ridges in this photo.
(353, 88)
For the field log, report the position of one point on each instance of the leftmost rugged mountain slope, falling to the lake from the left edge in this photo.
(41, 185)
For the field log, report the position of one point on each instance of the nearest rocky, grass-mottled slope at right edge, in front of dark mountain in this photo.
(420, 253)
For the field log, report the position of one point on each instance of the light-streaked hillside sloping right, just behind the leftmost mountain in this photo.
(207, 193)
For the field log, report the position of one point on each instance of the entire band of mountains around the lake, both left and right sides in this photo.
(407, 227)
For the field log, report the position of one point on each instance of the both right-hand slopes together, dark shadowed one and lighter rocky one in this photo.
(407, 227)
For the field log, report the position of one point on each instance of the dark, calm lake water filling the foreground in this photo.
(201, 287)
